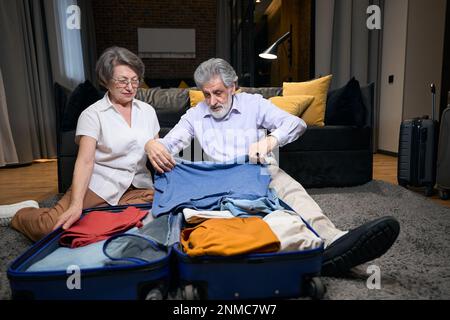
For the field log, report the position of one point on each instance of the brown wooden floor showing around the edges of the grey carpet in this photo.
(39, 180)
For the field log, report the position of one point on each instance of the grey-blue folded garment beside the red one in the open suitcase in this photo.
(147, 244)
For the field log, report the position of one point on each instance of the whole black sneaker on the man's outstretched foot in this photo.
(365, 243)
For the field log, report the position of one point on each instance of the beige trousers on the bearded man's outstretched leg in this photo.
(293, 194)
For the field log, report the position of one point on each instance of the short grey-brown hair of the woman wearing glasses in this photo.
(115, 56)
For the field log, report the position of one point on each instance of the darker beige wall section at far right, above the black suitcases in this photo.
(424, 56)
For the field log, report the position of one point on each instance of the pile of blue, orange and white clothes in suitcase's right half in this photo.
(236, 211)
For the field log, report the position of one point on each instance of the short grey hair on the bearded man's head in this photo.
(212, 68)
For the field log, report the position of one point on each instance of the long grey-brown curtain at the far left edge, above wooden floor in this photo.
(27, 79)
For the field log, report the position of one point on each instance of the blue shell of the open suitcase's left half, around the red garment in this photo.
(136, 280)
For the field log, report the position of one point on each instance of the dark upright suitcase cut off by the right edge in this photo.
(443, 162)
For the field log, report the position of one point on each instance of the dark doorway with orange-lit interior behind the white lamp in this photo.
(255, 26)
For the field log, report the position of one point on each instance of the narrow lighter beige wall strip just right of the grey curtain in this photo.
(393, 63)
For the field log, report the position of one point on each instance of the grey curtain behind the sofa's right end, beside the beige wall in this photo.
(346, 48)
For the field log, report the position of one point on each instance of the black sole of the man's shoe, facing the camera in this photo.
(370, 245)
